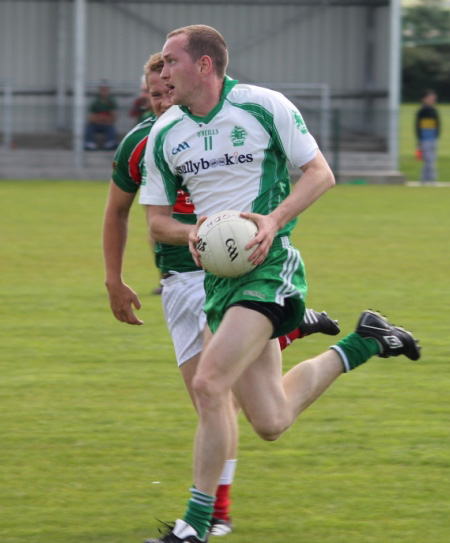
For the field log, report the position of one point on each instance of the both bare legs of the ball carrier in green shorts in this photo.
(239, 357)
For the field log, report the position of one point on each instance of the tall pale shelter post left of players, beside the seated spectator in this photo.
(79, 81)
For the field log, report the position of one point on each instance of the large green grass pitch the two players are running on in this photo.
(97, 428)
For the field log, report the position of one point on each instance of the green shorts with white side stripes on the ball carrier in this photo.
(280, 277)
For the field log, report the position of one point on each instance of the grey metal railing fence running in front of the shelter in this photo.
(351, 138)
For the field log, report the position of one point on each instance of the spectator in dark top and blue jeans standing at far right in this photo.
(427, 133)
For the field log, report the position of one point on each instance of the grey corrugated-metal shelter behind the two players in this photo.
(338, 60)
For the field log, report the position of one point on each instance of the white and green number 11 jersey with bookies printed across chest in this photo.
(236, 157)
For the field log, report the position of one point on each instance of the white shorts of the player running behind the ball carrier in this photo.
(183, 297)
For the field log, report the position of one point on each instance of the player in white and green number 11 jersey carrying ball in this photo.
(229, 146)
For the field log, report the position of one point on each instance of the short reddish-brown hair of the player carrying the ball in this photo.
(205, 40)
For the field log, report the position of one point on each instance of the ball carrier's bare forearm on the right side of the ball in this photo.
(315, 181)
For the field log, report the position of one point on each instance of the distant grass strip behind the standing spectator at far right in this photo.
(407, 140)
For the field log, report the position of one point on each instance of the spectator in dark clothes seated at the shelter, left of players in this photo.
(101, 119)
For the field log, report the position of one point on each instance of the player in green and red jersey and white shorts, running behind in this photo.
(183, 292)
